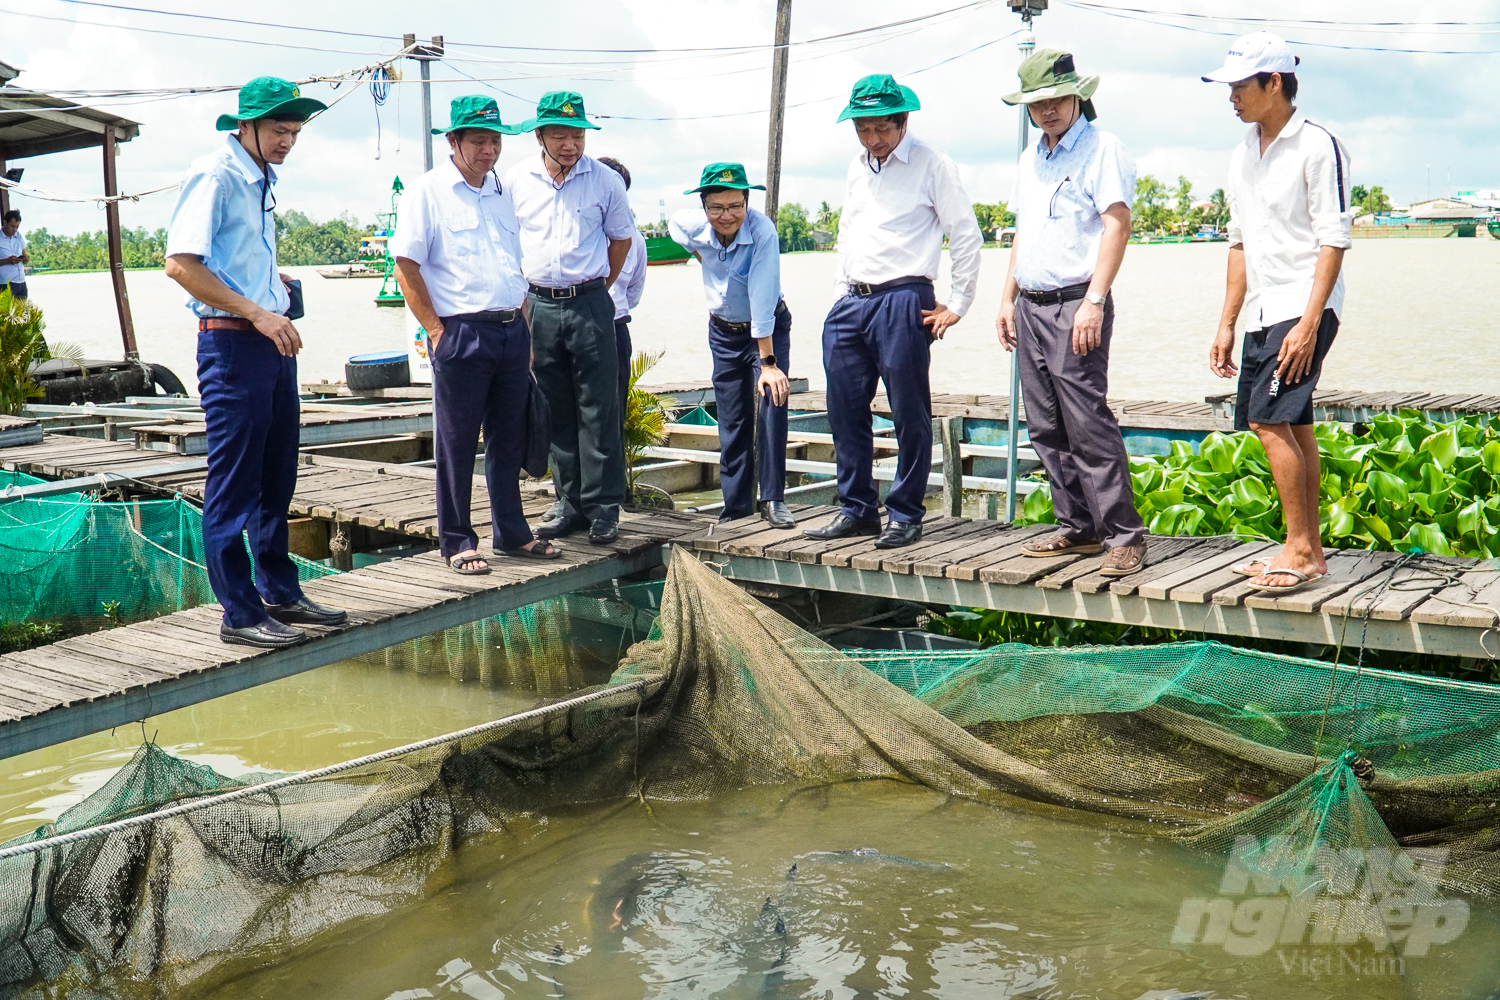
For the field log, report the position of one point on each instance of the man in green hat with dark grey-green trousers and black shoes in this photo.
(575, 238)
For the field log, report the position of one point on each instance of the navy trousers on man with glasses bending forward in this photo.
(737, 371)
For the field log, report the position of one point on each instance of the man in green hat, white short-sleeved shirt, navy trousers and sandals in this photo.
(458, 263)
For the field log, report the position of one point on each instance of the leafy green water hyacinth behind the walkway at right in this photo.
(1403, 482)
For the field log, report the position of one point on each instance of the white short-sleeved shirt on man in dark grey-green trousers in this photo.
(566, 230)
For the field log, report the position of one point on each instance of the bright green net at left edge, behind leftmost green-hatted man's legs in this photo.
(86, 564)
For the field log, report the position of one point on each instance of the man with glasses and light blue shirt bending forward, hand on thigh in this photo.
(749, 334)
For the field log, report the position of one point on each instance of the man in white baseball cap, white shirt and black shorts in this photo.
(1289, 200)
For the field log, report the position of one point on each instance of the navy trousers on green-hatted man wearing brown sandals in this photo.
(481, 379)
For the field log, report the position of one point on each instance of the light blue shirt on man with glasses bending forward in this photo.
(742, 281)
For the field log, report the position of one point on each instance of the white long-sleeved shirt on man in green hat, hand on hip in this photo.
(895, 223)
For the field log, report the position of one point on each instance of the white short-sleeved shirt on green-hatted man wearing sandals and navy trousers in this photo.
(466, 241)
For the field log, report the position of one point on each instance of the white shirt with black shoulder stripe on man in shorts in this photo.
(1285, 208)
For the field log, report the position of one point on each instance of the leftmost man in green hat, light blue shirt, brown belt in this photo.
(221, 248)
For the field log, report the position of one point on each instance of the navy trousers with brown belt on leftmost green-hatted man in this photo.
(250, 403)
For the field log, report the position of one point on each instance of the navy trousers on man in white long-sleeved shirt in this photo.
(869, 340)
